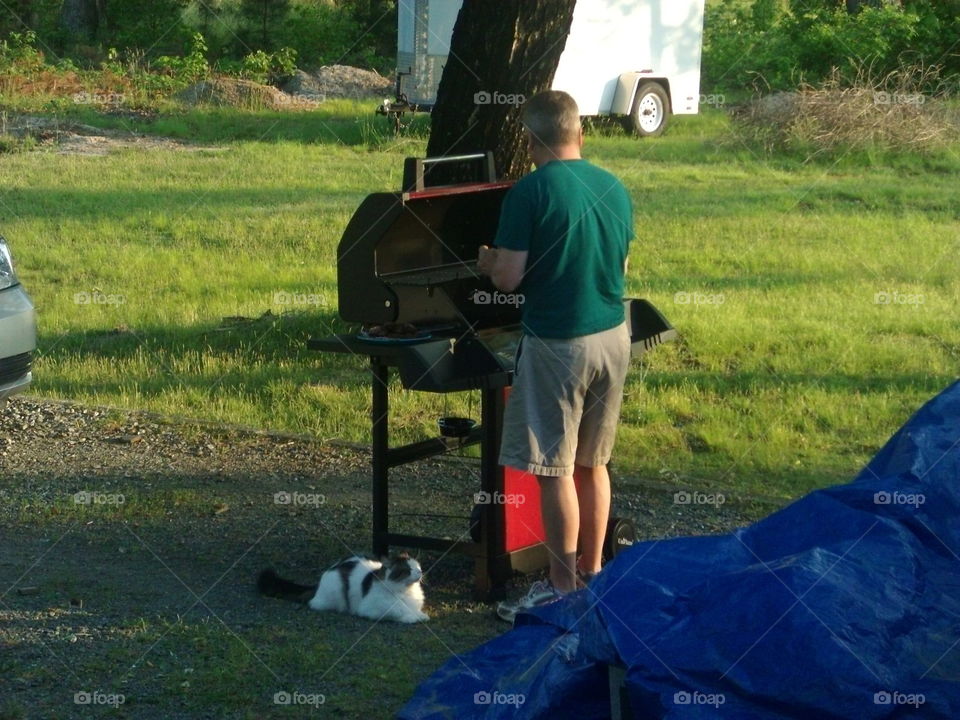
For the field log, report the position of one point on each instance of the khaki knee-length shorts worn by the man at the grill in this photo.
(565, 402)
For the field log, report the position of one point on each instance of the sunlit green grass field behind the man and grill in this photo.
(815, 300)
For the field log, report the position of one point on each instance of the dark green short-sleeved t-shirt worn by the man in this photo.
(576, 222)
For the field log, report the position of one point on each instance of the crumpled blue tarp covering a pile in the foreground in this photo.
(845, 604)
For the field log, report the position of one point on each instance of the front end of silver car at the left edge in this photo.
(18, 330)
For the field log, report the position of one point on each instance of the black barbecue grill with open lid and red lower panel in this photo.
(410, 258)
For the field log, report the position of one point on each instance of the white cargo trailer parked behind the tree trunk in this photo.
(636, 59)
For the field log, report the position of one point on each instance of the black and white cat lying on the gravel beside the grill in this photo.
(359, 586)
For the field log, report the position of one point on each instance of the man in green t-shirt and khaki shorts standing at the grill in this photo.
(562, 242)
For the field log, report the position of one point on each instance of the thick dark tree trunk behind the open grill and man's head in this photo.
(501, 52)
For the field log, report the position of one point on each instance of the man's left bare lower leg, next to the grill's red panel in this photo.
(561, 523)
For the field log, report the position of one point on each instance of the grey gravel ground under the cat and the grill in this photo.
(179, 518)
